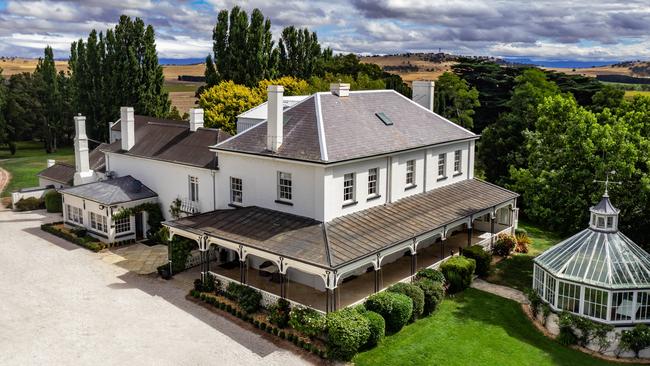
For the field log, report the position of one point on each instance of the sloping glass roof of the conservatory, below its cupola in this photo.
(604, 259)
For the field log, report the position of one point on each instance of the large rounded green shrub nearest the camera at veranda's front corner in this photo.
(347, 331)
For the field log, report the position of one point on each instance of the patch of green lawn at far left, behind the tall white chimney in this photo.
(30, 159)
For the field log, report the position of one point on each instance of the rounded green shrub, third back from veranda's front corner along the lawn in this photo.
(395, 308)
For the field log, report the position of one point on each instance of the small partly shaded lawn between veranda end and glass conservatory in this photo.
(517, 271)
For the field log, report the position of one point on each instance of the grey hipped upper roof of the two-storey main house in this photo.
(327, 128)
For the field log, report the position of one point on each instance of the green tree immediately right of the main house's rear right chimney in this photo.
(455, 100)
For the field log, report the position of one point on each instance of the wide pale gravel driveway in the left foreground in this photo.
(63, 305)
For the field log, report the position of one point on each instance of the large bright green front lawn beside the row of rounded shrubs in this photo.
(474, 328)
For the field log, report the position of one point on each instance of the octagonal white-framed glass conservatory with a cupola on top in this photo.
(598, 273)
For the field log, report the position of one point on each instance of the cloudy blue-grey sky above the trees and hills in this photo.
(578, 30)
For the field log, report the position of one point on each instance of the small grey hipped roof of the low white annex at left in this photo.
(113, 191)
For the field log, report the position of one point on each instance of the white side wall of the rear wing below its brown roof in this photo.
(169, 180)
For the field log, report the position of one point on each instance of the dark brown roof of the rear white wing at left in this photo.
(170, 140)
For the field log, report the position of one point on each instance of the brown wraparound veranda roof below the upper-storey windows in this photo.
(351, 237)
